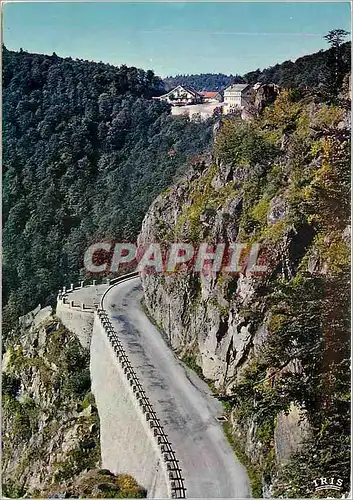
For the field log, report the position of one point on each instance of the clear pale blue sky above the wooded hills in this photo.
(173, 38)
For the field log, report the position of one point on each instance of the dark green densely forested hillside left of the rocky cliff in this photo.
(85, 152)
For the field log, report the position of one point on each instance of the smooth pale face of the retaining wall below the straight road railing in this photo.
(126, 443)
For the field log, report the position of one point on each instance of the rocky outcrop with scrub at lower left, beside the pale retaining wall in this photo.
(50, 422)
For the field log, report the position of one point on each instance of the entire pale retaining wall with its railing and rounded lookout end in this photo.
(132, 438)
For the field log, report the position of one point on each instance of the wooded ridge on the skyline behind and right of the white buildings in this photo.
(306, 72)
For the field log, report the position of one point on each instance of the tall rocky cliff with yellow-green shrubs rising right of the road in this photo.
(280, 181)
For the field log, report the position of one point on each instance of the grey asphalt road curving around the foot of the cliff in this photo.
(183, 403)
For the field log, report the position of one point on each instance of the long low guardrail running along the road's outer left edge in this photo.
(174, 472)
